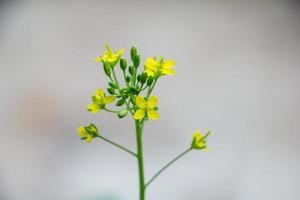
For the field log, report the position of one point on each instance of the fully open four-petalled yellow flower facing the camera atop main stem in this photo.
(146, 108)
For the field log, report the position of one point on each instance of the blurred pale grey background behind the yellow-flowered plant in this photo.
(238, 74)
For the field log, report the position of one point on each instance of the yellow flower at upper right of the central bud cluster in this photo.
(162, 67)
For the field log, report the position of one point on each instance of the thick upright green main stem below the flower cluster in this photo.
(139, 141)
